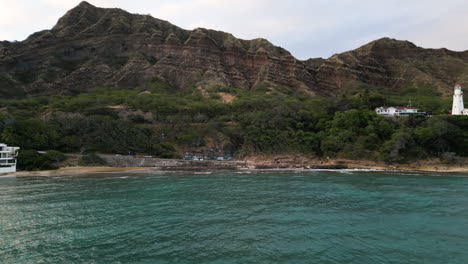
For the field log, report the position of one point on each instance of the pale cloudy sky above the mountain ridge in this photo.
(307, 28)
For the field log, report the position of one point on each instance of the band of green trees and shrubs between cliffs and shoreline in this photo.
(165, 122)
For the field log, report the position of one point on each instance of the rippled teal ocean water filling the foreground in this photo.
(306, 217)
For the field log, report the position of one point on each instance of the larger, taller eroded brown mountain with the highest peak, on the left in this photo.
(92, 47)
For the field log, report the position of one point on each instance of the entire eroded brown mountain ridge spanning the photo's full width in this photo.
(92, 47)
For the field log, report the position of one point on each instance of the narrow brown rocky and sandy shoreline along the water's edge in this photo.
(130, 165)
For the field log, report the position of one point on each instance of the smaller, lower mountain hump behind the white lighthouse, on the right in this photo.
(389, 64)
